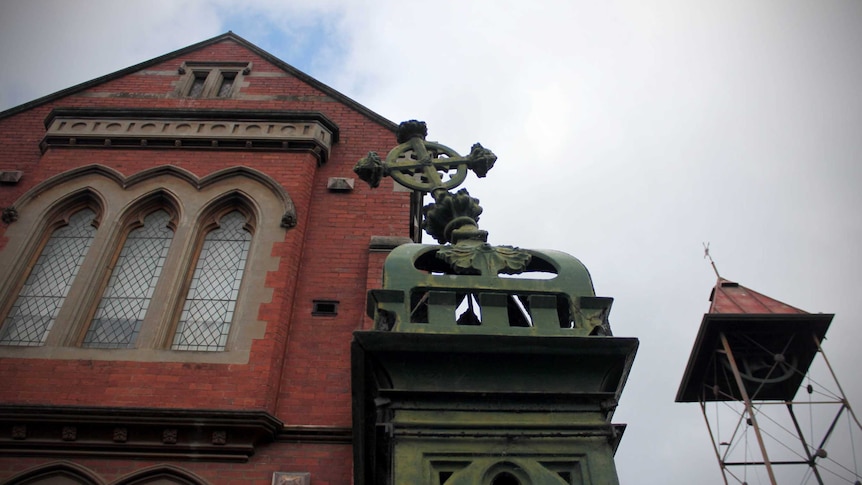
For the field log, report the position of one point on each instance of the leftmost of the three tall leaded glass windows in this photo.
(33, 313)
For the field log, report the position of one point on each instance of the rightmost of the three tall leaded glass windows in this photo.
(209, 307)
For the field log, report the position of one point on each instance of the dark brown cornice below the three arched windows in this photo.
(139, 432)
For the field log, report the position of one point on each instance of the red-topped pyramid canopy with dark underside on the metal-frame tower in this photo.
(773, 342)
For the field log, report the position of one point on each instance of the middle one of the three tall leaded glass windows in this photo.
(118, 318)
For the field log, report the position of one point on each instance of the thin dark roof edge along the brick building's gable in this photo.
(386, 123)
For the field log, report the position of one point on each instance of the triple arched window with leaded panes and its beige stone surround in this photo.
(106, 307)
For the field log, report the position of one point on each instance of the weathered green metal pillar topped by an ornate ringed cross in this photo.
(473, 378)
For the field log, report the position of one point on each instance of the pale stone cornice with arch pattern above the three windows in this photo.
(195, 129)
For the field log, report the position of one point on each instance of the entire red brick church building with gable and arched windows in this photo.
(184, 257)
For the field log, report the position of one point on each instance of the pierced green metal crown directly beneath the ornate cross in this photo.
(421, 292)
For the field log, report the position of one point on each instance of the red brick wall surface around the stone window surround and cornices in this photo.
(301, 370)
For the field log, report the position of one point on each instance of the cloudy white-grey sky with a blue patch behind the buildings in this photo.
(628, 134)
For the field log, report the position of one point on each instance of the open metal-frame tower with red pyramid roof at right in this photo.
(773, 406)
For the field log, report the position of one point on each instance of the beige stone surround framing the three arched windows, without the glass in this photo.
(123, 203)
